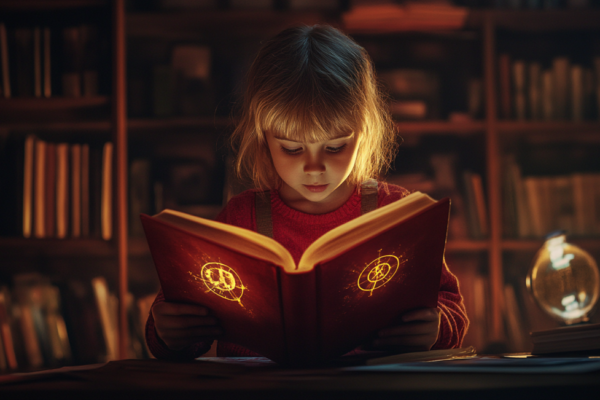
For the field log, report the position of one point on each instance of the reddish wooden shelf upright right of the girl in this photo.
(496, 276)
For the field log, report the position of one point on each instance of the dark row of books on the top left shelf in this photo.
(33, 63)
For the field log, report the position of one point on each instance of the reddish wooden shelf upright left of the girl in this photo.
(120, 174)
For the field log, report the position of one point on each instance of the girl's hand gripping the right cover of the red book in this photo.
(418, 331)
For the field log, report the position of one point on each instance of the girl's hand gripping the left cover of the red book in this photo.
(180, 325)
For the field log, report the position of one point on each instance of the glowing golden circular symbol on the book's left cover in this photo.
(222, 280)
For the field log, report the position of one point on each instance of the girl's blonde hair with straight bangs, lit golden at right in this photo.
(312, 84)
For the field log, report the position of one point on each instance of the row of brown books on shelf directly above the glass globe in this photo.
(537, 205)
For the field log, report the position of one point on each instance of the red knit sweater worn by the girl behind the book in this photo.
(296, 230)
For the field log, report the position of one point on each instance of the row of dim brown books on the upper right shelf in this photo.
(564, 91)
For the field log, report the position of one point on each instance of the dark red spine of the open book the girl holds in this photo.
(300, 317)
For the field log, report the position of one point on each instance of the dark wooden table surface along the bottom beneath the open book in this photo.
(153, 379)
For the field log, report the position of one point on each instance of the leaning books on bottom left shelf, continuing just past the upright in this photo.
(46, 324)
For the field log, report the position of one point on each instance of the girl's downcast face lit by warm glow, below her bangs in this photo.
(314, 174)
